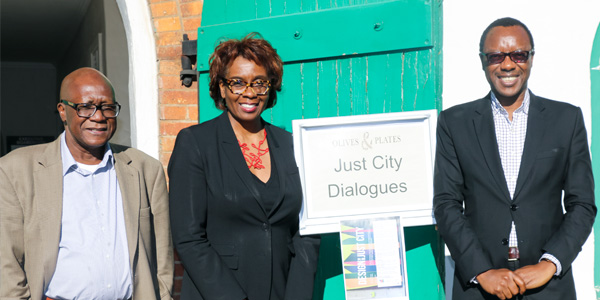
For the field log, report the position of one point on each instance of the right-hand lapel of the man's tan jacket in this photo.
(128, 179)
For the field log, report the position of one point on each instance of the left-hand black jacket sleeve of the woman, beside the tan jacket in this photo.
(188, 206)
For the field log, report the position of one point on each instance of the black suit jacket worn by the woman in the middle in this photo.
(230, 246)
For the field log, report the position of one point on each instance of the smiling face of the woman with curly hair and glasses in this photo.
(246, 108)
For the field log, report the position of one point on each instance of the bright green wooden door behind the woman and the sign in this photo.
(343, 57)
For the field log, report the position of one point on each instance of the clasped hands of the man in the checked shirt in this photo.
(506, 284)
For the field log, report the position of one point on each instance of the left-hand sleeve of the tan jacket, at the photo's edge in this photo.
(13, 281)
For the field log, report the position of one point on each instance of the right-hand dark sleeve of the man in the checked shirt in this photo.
(578, 199)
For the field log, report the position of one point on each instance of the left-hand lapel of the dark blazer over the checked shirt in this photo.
(483, 123)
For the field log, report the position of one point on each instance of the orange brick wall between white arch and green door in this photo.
(178, 104)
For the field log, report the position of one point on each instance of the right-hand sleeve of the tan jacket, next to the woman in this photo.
(159, 201)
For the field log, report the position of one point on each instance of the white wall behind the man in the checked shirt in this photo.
(563, 32)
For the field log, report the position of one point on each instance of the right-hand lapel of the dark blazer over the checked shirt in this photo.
(535, 133)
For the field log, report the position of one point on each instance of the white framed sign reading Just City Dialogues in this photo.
(366, 166)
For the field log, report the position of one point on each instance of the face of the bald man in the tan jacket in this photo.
(86, 135)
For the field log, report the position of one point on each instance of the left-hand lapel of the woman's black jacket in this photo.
(229, 145)
